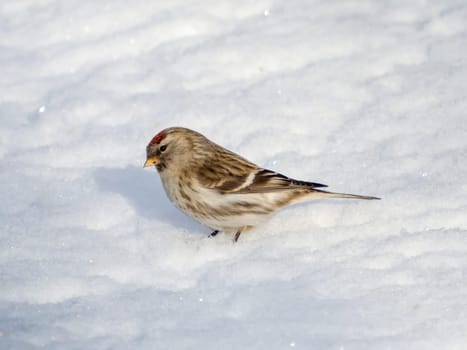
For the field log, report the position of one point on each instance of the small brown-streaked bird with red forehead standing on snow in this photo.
(221, 189)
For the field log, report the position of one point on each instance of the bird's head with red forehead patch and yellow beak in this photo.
(172, 148)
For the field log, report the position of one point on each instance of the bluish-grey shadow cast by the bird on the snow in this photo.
(144, 191)
